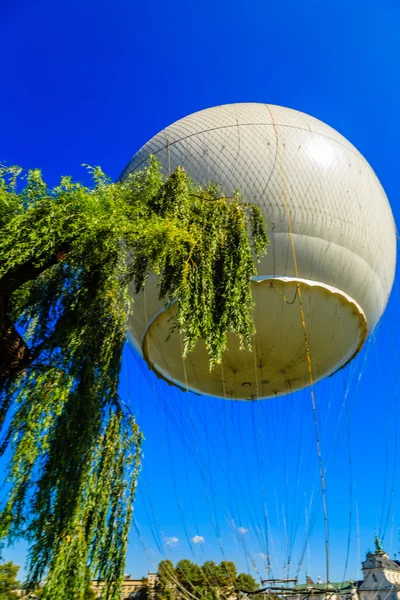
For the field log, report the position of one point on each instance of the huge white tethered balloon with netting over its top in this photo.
(332, 236)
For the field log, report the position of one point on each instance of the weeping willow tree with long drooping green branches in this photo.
(67, 258)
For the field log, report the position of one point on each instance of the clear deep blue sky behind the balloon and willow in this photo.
(91, 81)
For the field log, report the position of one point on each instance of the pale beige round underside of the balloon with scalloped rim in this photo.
(290, 315)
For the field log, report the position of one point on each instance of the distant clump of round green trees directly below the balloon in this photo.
(188, 580)
